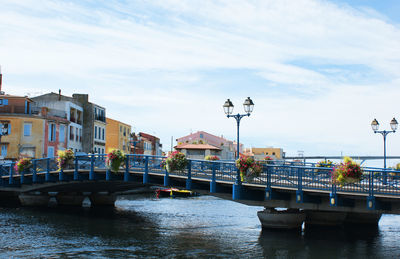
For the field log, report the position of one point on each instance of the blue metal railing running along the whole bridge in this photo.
(275, 175)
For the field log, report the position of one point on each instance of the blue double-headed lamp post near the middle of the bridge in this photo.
(228, 109)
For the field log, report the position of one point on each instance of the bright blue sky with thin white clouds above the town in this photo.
(318, 71)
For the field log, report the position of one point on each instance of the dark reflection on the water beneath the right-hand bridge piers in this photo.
(315, 242)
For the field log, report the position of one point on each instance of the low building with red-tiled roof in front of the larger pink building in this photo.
(198, 151)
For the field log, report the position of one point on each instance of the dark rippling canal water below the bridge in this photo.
(202, 226)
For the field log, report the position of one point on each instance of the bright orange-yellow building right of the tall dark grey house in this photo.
(117, 135)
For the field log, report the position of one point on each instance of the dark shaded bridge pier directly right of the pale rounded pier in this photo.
(324, 218)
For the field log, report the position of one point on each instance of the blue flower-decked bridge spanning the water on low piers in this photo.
(297, 187)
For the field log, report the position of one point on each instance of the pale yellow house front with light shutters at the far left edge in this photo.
(25, 136)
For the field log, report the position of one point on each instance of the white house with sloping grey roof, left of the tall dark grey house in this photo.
(63, 107)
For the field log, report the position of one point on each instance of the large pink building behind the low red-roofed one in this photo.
(227, 147)
